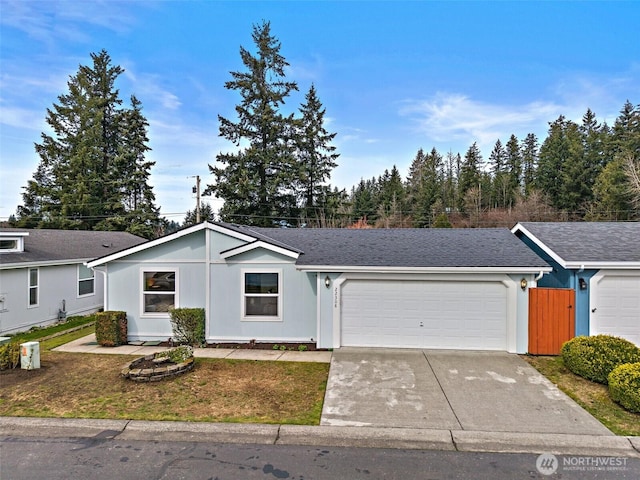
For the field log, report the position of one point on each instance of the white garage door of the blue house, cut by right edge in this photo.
(617, 306)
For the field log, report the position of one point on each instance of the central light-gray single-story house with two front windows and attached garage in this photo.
(415, 288)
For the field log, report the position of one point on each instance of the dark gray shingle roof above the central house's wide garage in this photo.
(401, 247)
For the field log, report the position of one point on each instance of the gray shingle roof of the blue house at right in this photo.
(590, 241)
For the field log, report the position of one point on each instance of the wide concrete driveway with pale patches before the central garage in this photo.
(451, 390)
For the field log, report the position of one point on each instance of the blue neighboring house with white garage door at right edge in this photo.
(601, 262)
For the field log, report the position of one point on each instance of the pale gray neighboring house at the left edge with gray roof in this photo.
(43, 277)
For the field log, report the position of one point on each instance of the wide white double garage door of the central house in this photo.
(424, 314)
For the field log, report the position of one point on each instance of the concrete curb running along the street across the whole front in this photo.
(328, 436)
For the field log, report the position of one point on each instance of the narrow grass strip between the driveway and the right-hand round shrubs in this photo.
(591, 396)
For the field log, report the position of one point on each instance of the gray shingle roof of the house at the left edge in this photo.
(44, 245)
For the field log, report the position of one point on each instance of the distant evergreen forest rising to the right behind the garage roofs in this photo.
(581, 171)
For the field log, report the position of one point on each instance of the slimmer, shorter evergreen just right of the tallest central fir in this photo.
(316, 156)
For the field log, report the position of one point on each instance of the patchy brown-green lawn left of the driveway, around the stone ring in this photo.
(217, 390)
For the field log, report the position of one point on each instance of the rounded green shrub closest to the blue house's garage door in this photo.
(595, 357)
